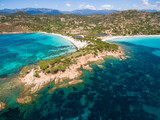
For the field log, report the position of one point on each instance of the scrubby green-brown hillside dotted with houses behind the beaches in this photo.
(130, 22)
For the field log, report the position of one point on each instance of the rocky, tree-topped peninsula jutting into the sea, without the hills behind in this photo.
(65, 70)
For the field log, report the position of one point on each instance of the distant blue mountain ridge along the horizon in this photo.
(58, 12)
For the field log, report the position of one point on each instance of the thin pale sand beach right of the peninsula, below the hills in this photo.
(108, 38)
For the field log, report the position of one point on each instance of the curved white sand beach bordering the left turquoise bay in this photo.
(76, 43)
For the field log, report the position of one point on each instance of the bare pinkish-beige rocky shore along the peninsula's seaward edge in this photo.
(33, 84)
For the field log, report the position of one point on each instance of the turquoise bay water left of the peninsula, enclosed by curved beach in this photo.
(18, 50)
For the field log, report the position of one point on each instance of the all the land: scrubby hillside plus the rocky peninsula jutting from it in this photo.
(65, 70)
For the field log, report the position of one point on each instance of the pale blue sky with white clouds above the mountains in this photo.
(68, 5)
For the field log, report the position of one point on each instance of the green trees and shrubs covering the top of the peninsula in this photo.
(62, 63)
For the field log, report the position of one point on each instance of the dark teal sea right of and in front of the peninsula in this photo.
(123, 90)
